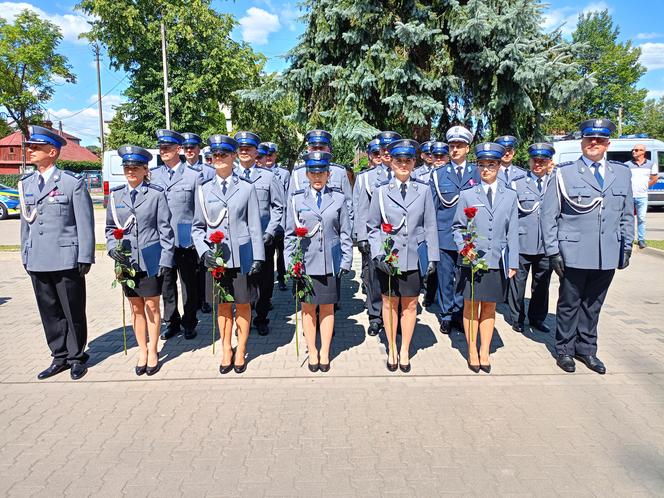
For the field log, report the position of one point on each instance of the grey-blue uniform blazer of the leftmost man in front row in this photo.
(62, 232)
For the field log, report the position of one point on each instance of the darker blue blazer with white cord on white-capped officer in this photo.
(449, 188)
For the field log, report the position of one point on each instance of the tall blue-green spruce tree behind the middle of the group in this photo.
(421, 67)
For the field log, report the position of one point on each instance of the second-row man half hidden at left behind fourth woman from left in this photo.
(365, 184)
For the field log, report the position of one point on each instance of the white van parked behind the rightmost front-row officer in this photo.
(621, 150)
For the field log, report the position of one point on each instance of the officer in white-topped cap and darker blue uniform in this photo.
(446, 185)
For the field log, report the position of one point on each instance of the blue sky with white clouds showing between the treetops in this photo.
(272, 27)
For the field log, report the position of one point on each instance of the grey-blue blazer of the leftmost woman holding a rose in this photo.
(150, 236)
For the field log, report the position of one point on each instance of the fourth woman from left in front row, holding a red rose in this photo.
(404, 205)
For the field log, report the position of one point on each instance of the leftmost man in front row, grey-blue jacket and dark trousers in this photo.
(57, 250)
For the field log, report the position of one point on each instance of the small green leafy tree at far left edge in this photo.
(29, 62)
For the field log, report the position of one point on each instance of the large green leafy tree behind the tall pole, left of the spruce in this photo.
(205, 65)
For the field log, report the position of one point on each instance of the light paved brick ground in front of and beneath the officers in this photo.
(278, 430)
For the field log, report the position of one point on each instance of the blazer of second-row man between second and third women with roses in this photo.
(271, 196)
